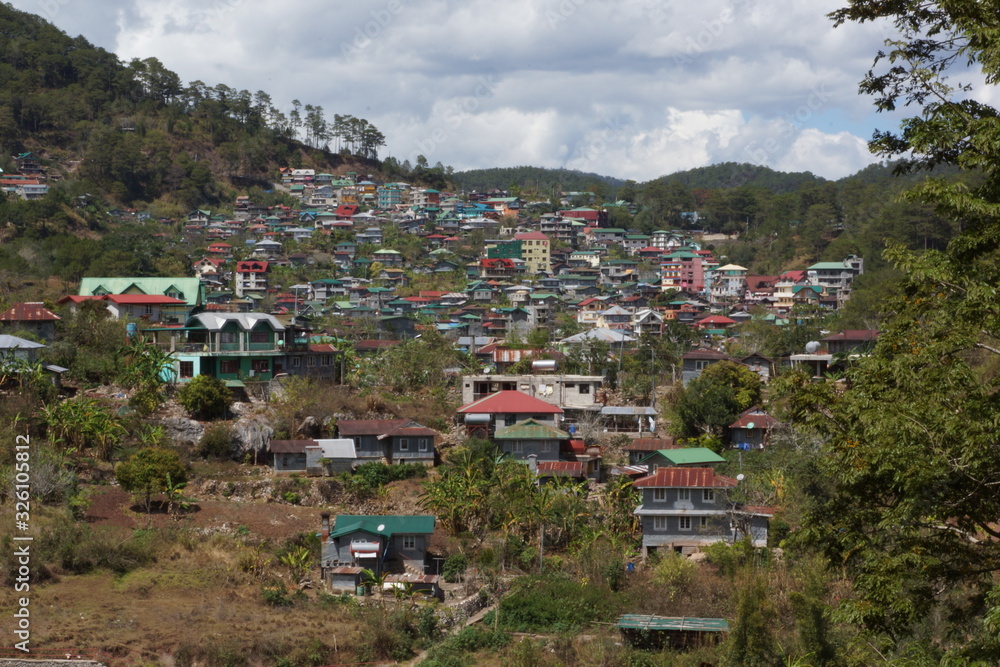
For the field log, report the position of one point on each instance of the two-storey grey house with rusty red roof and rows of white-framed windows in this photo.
(686, 509)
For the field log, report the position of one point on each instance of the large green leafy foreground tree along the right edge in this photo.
(907, 502)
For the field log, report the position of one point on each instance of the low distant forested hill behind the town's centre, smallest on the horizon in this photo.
(532, 179)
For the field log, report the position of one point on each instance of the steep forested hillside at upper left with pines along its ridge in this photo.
(134, 132)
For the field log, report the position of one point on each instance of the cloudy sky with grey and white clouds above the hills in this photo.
(629, 88)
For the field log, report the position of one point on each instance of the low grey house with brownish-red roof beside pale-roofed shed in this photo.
(389, 440)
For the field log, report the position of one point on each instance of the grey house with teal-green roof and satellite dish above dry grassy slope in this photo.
(378, 543)
